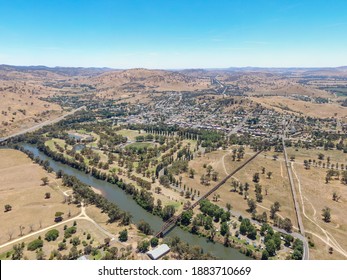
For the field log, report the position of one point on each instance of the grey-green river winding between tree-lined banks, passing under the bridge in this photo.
(126, 203)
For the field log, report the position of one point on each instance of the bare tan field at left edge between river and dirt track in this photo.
(21, 187)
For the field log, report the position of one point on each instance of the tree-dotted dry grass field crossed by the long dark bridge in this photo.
(277, 187)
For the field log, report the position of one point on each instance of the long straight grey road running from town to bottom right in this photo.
(296, 204)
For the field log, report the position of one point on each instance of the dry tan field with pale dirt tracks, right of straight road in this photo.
(314, 194)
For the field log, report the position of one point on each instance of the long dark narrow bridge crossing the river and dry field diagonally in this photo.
(169, 224)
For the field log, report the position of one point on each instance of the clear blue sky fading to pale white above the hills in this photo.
(173, 33)
